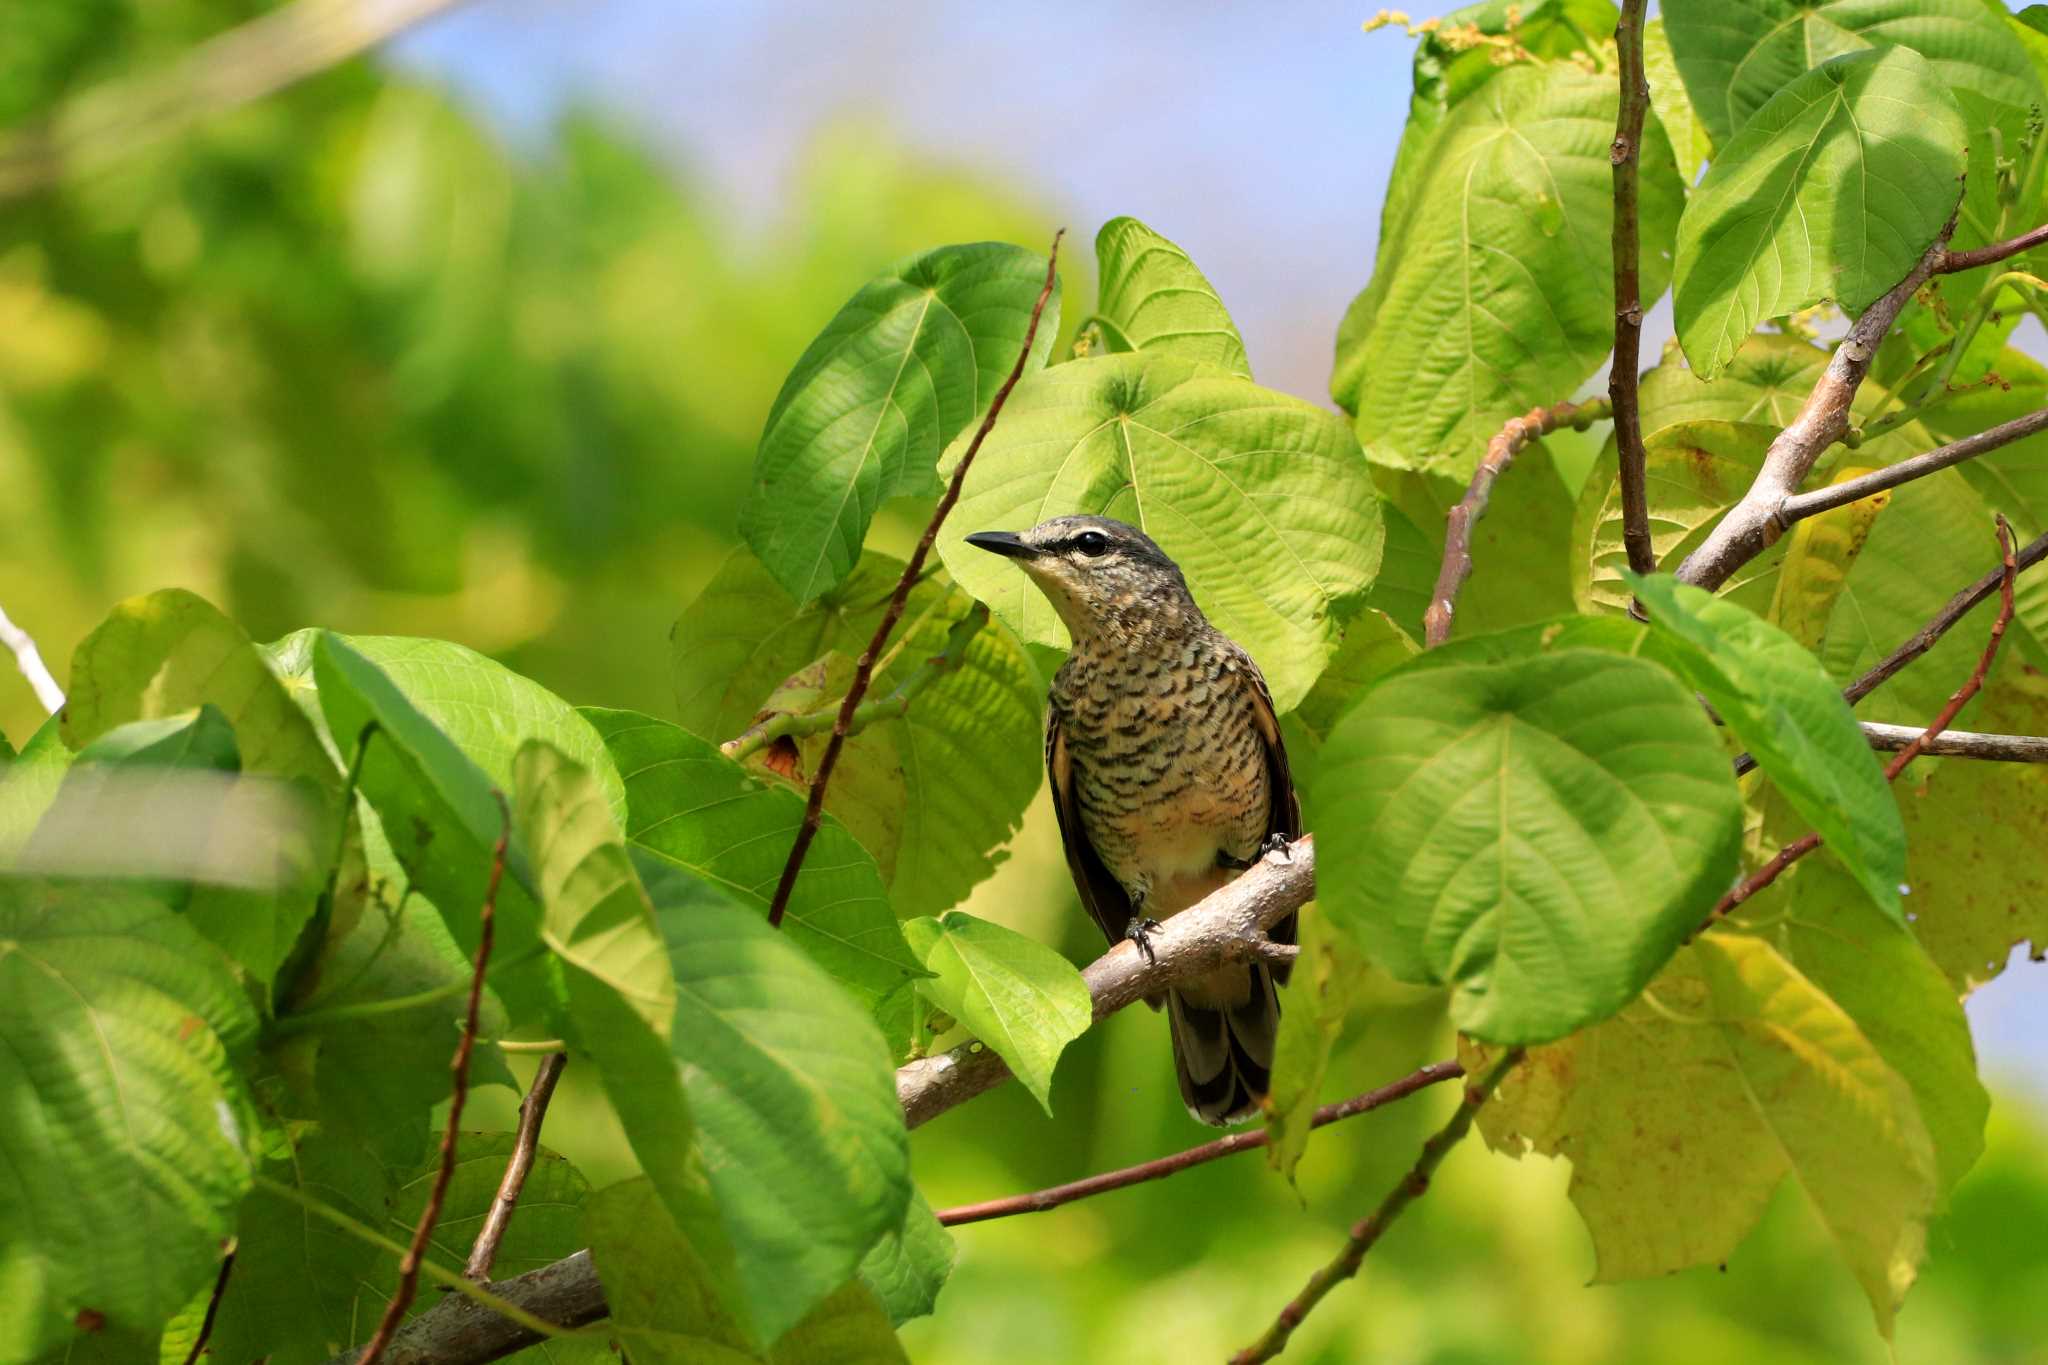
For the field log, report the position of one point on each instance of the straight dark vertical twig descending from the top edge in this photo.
(1623, 376)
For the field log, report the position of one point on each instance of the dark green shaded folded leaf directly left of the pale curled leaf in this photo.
(441, 816)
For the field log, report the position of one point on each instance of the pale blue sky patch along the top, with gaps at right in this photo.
(1258, 138)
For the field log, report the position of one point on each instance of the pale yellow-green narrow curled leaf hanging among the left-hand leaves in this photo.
(593, 910)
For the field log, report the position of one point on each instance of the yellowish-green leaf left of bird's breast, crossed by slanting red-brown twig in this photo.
(935, 793)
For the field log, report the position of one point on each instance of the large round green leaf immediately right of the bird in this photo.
(1498, 818)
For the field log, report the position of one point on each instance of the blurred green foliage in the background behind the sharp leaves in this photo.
(349, 359)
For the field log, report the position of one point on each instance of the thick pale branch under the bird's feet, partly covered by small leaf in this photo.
(1222, 930)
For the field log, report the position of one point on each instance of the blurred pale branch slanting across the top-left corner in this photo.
(239, 67)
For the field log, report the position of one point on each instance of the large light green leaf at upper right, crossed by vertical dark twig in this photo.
(1494, 290)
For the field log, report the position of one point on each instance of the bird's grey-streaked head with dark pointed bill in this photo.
(1101, 576)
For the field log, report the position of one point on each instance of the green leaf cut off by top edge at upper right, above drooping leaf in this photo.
(1738, 56)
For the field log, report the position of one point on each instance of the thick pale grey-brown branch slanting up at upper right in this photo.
(1752, 525)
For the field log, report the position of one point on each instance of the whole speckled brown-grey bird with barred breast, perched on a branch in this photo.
(1168, 777)
